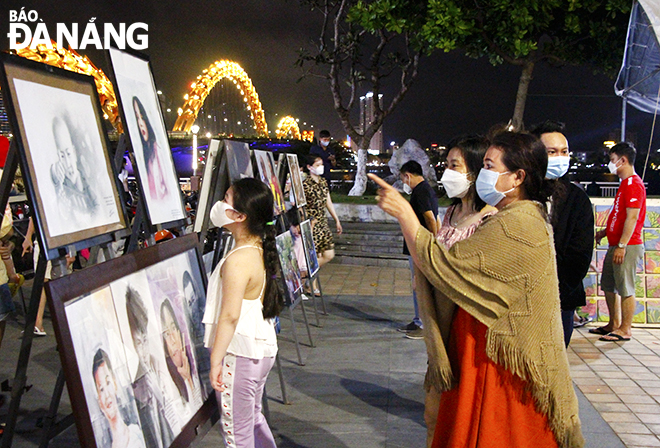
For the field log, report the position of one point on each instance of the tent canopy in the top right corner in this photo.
(639, 78)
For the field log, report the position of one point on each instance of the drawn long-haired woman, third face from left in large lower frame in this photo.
(180, 362)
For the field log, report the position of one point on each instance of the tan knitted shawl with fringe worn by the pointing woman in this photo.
(505, 276)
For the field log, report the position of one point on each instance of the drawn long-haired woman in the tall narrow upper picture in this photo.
(155, 176)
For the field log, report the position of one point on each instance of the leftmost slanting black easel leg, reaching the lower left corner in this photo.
(18, 385)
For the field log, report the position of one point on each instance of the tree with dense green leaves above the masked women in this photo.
(526, 32)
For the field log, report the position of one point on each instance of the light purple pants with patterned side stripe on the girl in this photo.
(243, 425)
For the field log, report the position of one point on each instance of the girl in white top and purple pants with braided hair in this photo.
(242, 299)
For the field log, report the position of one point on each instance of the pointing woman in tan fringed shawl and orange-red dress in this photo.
(499, 359)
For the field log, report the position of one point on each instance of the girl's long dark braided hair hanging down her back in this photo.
(255, 200)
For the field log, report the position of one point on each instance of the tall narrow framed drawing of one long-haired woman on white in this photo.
(144, 125)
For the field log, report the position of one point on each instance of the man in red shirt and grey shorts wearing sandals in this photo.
(623, 232)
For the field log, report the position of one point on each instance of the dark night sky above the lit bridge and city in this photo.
(452, 95)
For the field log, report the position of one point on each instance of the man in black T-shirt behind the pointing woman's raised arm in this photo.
(425, 205)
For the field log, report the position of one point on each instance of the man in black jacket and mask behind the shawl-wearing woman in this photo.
(572, 219)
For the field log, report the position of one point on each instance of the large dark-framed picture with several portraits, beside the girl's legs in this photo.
(92, 299)
